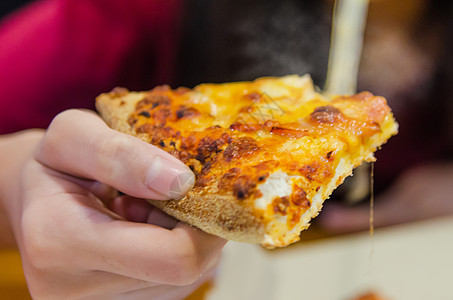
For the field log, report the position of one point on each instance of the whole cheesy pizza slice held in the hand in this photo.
(266, 153)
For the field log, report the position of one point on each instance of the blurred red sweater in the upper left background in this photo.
(60, 54)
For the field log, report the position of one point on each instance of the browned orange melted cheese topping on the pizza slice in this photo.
(233, 142)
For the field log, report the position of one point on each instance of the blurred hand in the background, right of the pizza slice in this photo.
(420, 193)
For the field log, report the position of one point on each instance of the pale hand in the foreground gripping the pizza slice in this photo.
(78, 239)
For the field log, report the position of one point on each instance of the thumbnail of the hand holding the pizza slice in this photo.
(168, 178)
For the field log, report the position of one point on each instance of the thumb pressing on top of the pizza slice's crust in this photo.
(81, 144)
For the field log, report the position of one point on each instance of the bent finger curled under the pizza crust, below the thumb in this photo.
(147, 252)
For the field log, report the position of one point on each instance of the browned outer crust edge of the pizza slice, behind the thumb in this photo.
(216, 214)
